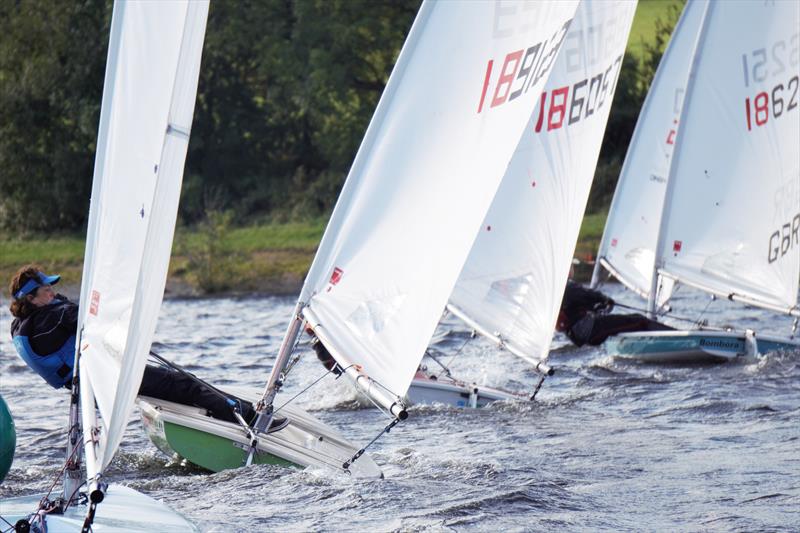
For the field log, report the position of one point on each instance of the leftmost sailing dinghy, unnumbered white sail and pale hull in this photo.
(148, 102)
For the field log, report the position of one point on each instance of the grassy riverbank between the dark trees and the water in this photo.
(215, 258)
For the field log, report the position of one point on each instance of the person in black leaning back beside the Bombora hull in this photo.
(585, 318)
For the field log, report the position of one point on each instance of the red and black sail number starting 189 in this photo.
(520, 70)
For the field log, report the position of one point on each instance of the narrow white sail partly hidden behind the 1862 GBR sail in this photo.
(629, 240)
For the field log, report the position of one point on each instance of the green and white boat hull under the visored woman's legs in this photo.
(217, 445)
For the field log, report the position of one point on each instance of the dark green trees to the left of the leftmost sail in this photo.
(51, 78)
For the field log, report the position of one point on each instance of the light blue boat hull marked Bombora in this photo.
(695, 346)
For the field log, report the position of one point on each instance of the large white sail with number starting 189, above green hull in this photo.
(463, 88)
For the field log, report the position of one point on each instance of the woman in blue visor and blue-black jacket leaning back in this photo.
(44, 329)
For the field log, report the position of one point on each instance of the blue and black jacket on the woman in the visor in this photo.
(45, 340)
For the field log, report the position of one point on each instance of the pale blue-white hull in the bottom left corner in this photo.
(123, 510)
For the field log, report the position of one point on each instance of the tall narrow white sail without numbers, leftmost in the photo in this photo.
(148, 103)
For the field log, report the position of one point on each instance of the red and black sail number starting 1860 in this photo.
(588, 95)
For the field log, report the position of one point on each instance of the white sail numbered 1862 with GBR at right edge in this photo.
(731, 223)
